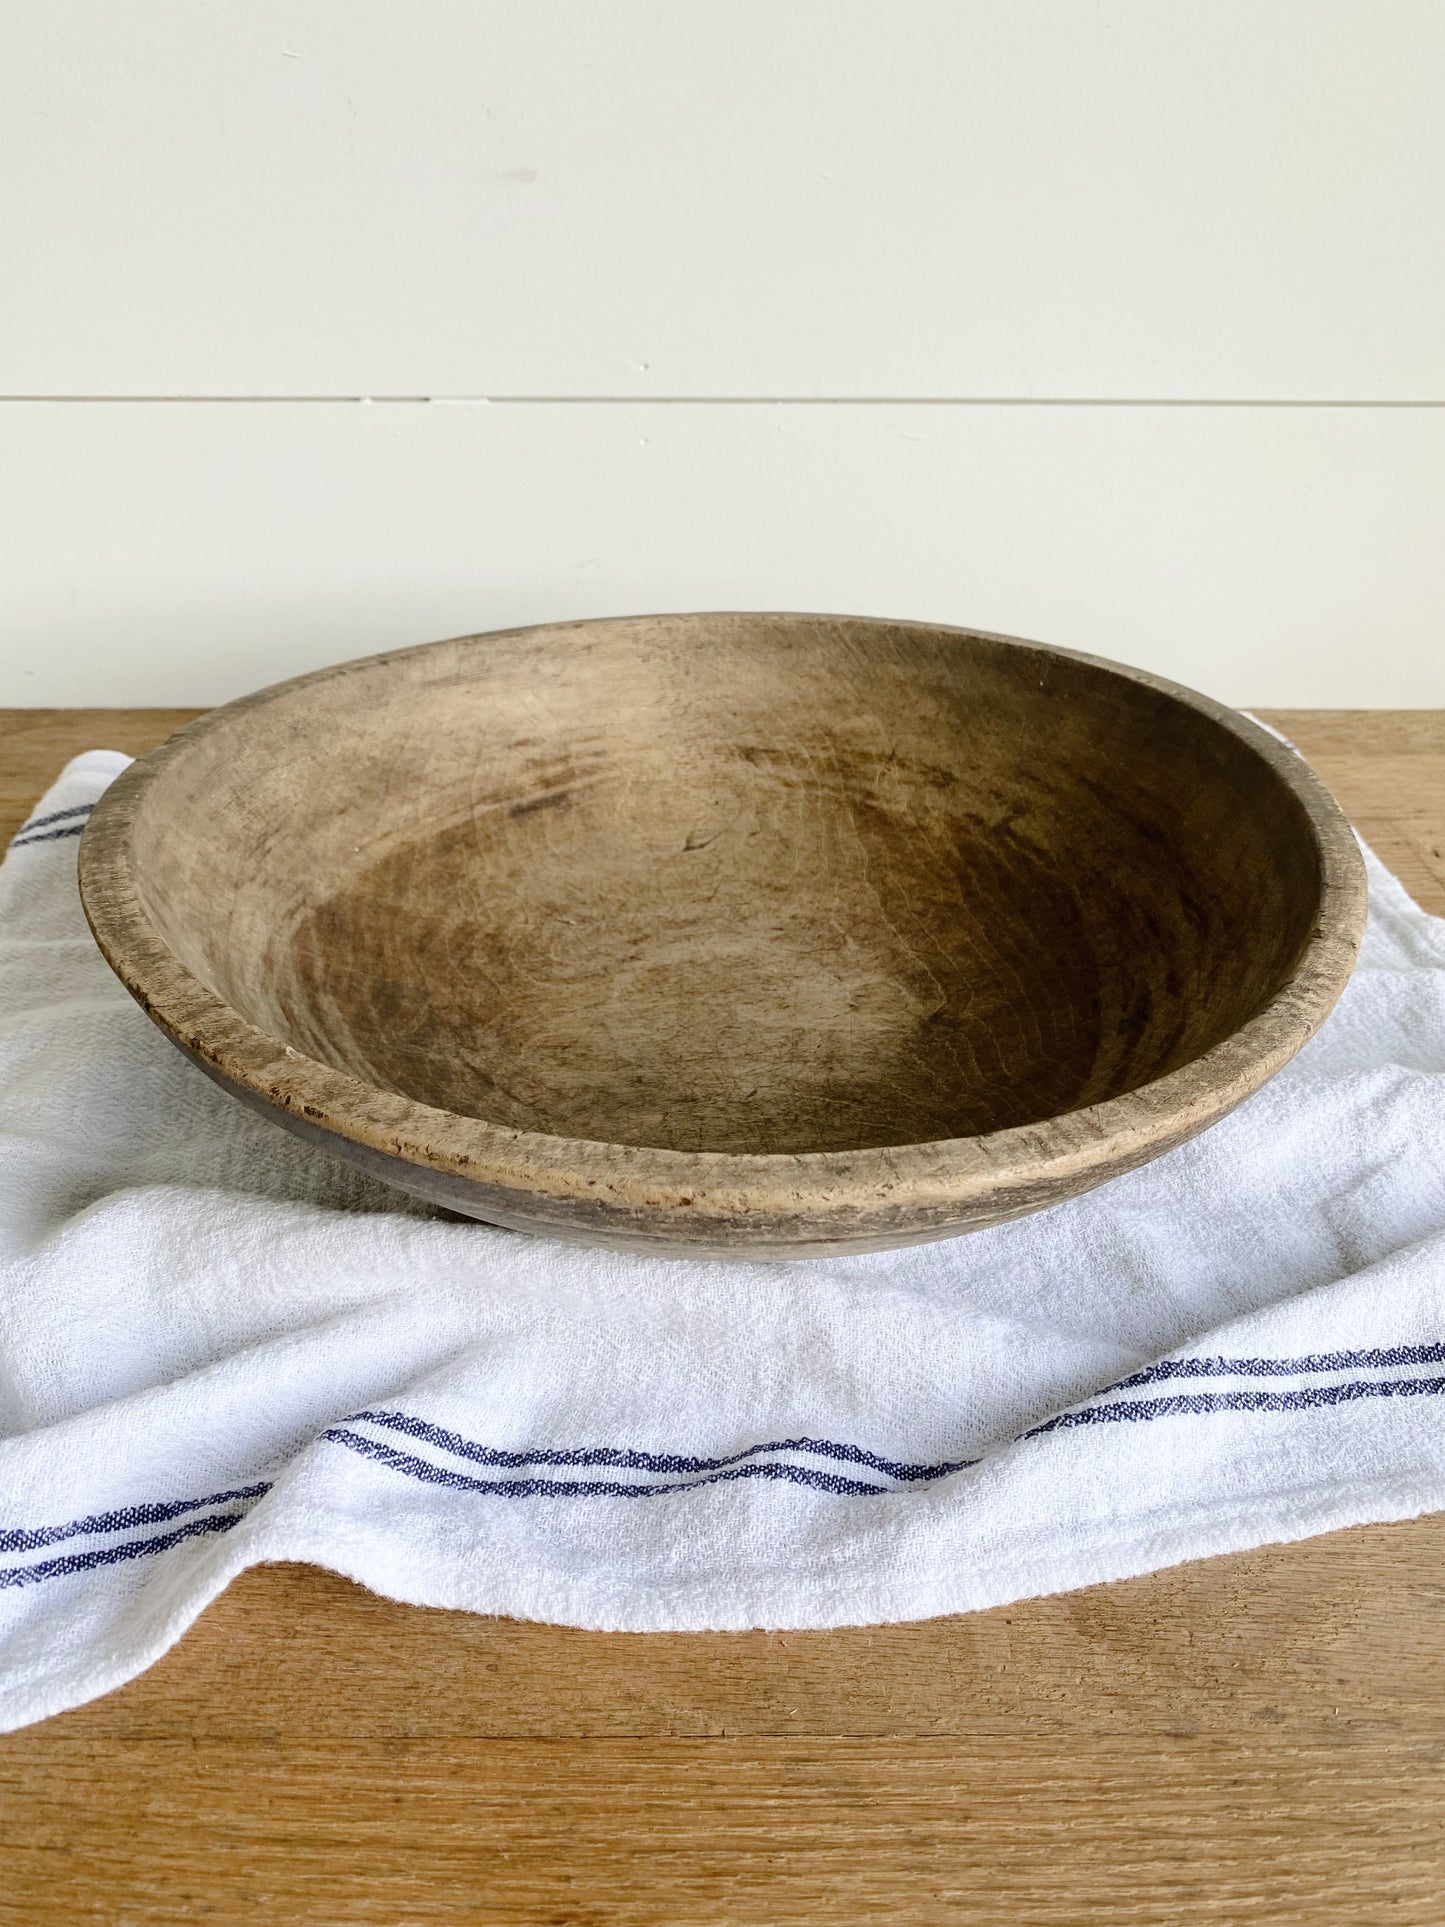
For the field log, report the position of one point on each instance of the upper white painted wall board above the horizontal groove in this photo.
(723, 198)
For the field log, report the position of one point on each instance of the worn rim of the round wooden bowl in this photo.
(930, 1176)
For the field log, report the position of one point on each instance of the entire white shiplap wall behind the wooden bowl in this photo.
(1120, 325)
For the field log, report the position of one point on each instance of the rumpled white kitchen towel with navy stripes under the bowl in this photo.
(221, 1348)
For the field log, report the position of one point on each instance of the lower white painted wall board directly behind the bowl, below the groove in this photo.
(186, 554)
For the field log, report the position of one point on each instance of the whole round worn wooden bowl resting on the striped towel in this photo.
(731, 934)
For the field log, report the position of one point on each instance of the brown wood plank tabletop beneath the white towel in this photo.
(1253, 1739)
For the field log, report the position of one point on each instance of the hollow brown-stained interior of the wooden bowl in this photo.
(733, 884)
